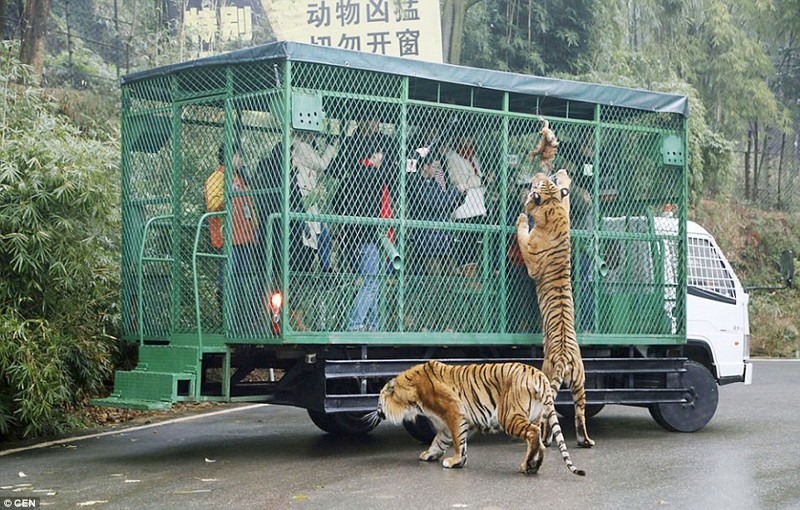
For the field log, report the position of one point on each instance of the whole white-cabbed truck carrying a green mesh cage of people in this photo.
(301, 223)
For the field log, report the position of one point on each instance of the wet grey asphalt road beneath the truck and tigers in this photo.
(265, 457)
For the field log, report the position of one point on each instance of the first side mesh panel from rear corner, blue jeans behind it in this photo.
(356, 160)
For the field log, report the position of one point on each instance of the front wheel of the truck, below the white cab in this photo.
(702, 398)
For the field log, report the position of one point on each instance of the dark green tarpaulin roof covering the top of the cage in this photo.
(447, 73)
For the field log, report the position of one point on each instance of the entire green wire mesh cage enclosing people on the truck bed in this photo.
(359, 197)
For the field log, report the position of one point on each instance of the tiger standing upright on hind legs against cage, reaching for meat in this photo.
(546, 251)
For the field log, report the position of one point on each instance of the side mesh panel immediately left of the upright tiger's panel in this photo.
(454, 259)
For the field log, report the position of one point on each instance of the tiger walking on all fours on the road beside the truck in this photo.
(458, 399)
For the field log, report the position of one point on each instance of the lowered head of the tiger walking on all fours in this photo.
(401, 397)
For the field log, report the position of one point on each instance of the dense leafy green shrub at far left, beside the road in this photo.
(58, 258)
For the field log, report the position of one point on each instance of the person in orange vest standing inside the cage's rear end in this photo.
(243, 238)
